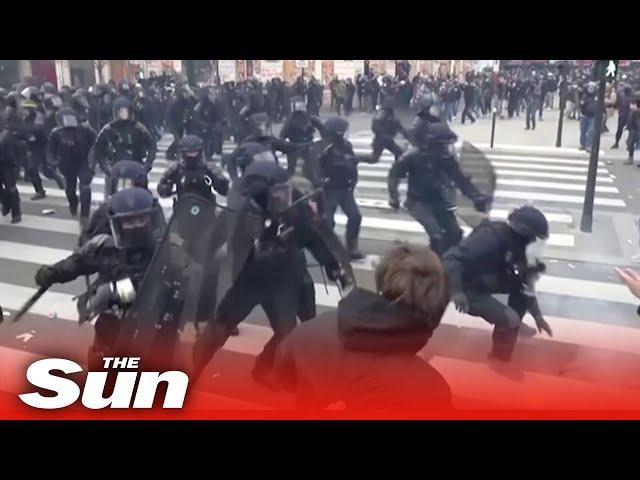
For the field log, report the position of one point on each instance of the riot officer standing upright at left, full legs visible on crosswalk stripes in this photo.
(68, 150)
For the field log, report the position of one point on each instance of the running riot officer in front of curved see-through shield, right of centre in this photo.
(433, 177)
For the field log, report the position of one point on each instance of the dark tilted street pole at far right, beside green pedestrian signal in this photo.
(586, 223)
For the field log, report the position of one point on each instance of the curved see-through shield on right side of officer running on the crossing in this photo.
(475, 165)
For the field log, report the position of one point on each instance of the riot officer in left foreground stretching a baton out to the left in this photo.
(120, 259)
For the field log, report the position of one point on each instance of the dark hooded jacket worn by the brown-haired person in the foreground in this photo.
(363, 355)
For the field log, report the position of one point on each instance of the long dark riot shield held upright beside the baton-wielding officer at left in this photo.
(178, 278)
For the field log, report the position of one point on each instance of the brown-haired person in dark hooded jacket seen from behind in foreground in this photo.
(364, 355)
